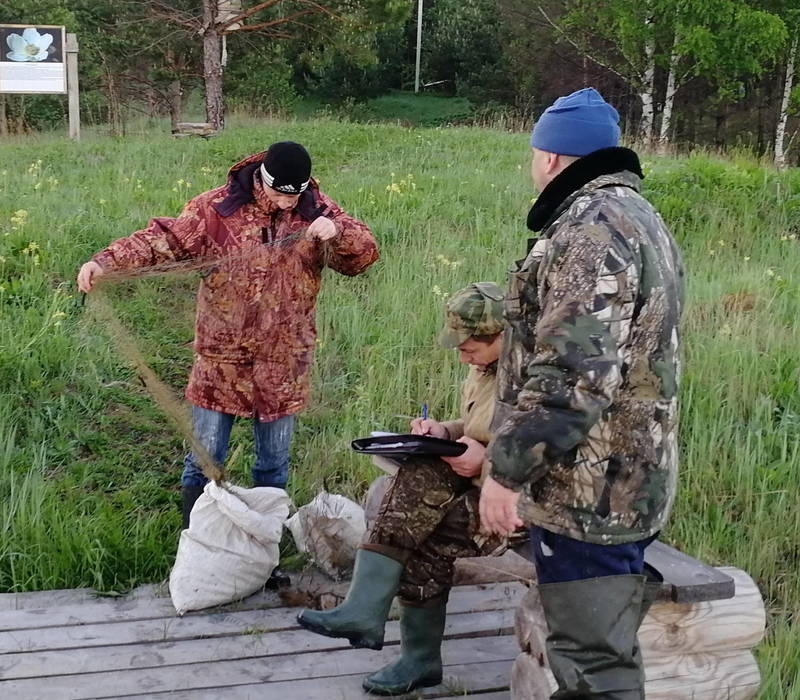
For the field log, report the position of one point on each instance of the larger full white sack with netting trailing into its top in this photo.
(230, 548)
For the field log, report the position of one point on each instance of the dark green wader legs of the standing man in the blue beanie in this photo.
(592, 646)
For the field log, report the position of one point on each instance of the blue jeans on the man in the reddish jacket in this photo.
(272, 441)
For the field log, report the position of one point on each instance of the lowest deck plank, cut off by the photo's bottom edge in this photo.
(461, 680)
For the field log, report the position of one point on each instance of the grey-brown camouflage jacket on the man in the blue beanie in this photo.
(585, 422)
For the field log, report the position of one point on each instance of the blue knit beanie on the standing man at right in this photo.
(577, 125)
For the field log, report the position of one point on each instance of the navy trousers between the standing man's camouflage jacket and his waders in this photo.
(559, 559)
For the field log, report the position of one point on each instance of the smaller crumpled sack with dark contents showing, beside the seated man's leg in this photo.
(329, 529)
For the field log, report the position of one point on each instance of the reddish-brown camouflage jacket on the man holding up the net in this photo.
(254, 330)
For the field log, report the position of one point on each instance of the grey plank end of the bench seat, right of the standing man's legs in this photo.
(691, 580)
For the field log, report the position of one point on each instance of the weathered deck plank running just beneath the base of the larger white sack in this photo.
(108, 610)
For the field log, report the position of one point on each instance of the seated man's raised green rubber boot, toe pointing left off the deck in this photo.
(361, 617)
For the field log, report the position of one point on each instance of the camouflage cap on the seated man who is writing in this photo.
(472, 311)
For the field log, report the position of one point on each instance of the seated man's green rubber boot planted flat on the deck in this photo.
(420, 662)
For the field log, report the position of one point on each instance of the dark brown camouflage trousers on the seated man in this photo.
(431, 513)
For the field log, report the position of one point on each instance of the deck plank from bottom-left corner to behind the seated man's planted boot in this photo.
(231, 672)
